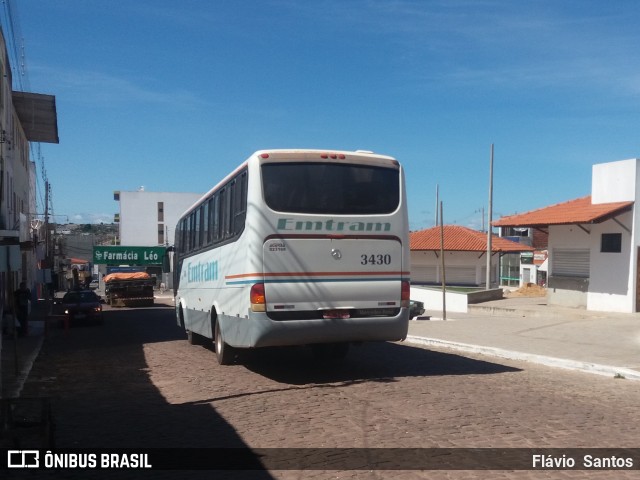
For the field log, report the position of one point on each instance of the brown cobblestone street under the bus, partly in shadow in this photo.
(136, 383)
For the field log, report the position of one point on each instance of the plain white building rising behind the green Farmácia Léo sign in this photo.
(150, 218)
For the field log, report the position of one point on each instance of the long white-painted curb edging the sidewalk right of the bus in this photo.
(615, 372)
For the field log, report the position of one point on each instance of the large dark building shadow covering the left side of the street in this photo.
(97, 380)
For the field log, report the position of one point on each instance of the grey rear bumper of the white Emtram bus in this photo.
(264, 332)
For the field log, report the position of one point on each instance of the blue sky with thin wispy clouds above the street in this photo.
(172, 95)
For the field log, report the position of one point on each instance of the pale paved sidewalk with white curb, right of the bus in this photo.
(528, 329)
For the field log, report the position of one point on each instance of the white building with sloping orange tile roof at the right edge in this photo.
(594, 241)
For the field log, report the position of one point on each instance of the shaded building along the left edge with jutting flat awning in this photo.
(25, 117)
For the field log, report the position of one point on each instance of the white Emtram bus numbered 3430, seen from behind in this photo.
(296, 247)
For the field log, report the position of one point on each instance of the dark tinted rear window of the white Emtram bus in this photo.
(330, 188)
